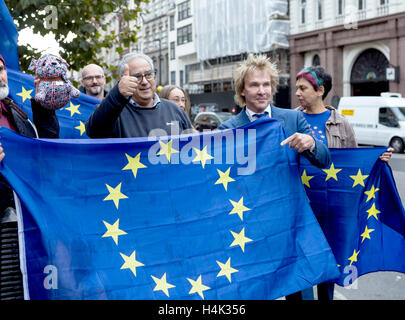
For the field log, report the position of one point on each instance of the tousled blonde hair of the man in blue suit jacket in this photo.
(253, 63)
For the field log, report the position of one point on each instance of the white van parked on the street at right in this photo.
(377, 121)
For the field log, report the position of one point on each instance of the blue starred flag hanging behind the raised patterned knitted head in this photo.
(71, 118)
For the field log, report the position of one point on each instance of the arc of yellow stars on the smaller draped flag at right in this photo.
(358, 179)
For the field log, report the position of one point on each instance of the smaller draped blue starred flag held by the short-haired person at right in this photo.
(359, 209)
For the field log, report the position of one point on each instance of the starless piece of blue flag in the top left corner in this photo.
(8, 38)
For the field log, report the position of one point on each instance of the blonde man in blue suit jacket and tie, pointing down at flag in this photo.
(255, 84)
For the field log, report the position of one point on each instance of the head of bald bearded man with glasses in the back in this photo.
(93, 81)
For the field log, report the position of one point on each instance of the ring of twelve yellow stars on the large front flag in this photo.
(130, 261)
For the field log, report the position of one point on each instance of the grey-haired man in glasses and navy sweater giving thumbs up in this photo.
(132, 108)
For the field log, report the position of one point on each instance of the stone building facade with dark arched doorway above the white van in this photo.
(360, 43)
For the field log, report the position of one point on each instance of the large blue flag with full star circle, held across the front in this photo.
(219, 215)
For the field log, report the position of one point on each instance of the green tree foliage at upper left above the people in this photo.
(85, 20)
